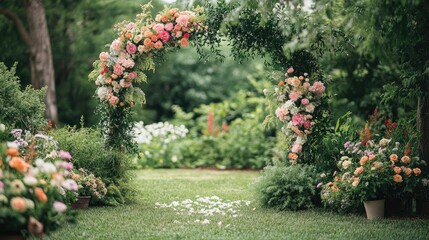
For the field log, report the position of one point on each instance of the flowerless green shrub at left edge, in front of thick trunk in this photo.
(20, 109)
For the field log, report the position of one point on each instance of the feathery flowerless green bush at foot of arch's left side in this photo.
(87, 149)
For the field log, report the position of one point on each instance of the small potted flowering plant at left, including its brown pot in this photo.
(89, 186)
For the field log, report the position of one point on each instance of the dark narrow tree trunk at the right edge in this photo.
(423, 124)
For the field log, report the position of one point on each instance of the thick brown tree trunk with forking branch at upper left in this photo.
(38, 44)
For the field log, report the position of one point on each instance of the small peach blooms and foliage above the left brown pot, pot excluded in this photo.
(89, 185)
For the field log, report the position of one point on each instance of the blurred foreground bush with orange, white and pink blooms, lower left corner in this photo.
(32, 193)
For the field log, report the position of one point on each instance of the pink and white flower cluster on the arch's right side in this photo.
(298, 98)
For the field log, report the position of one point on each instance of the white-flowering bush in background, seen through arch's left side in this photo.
(156, 142)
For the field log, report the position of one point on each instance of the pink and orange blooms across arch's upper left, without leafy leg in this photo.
(138, 41)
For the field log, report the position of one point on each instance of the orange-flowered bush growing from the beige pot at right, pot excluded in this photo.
(373, 171)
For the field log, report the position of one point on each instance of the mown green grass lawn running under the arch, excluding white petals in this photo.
(145, 220)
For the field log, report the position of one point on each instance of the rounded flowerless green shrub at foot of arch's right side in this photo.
(287, 187)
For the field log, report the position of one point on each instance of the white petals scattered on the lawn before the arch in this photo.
(205, 207)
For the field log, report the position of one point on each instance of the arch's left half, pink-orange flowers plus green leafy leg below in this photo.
(132, 53)
